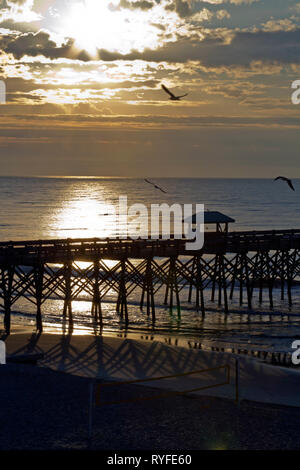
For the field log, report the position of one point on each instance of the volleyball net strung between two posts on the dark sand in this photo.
(96, 389)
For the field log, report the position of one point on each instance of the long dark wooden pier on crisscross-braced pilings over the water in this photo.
(229, 264)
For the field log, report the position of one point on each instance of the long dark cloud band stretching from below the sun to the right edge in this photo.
(213, 51)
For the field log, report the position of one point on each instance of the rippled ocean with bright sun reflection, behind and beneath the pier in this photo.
(47, 208)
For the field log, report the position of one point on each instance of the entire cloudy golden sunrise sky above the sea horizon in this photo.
(83, 88)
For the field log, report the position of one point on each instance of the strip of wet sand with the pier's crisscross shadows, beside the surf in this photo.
(113, 358)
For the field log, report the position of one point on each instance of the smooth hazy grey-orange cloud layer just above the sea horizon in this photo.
(215, 148)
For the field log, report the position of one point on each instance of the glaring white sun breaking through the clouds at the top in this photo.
(102, 24)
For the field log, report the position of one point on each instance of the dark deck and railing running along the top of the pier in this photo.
(87, 248)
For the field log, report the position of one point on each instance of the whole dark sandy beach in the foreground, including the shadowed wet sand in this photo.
(46, 406)
